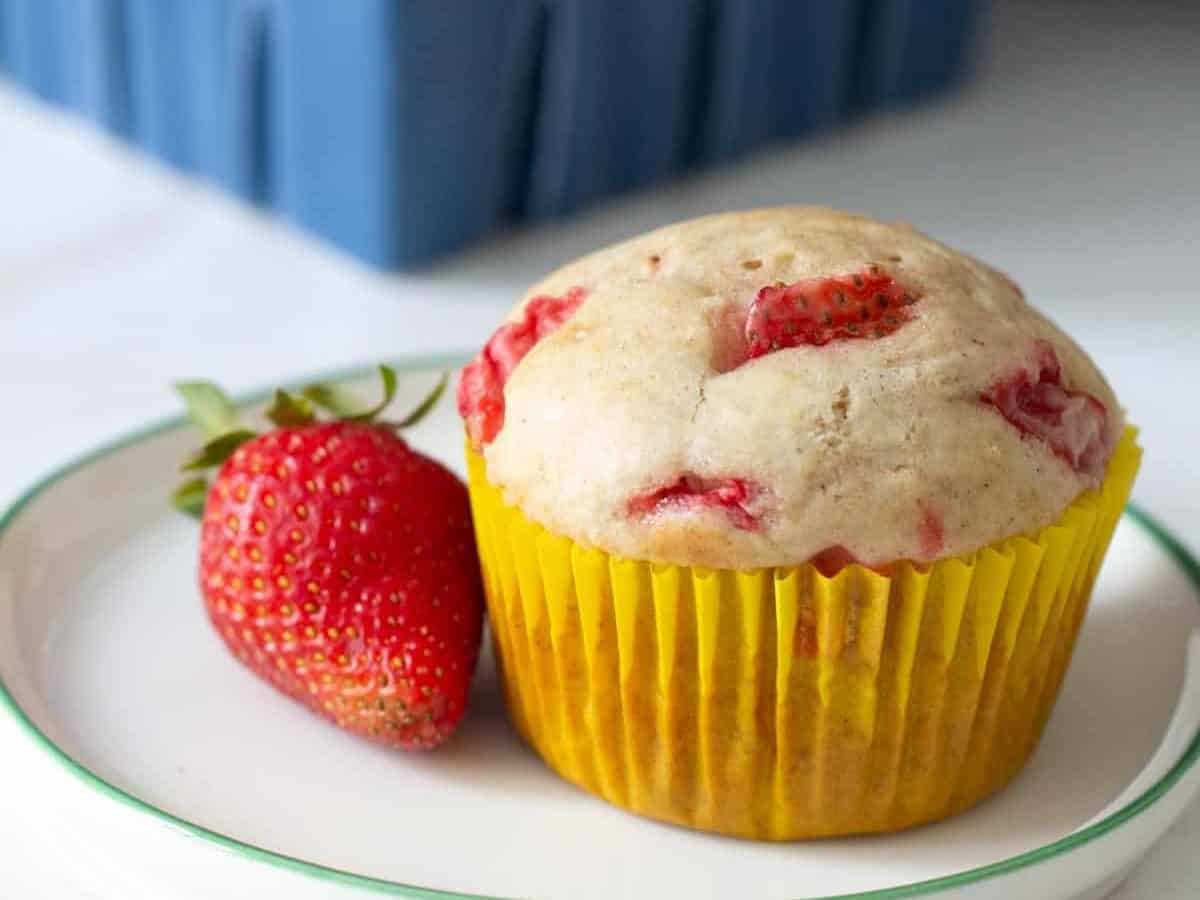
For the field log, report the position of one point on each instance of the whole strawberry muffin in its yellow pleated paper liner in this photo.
(789, 520)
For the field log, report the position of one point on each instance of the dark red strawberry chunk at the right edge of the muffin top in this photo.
(1071, 423)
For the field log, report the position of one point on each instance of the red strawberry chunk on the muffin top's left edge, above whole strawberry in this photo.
(482, 386)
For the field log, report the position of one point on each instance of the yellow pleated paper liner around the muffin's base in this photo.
(781, 704)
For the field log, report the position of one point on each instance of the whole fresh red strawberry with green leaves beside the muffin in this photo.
(339, 563)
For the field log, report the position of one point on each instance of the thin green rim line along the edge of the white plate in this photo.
(1186, 561)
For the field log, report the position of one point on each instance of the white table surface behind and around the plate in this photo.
(1073, 161)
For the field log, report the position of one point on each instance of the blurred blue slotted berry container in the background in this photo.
(401, 130)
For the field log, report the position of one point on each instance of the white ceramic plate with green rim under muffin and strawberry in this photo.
(107, 658)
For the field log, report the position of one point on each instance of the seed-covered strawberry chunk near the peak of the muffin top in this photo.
(818, 311)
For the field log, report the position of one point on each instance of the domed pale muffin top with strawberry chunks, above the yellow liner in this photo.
(783, 386)
